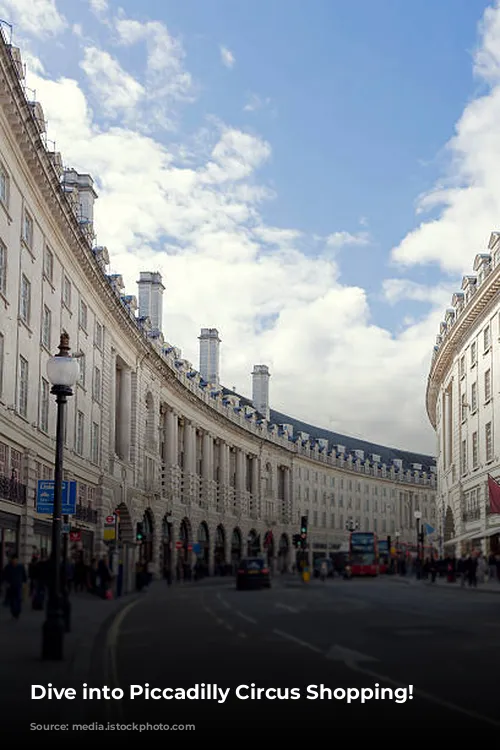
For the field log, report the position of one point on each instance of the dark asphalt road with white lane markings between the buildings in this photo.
(341, 634)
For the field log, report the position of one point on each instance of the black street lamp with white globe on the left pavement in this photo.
(62, 371)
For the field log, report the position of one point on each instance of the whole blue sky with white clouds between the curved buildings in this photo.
(311, 179)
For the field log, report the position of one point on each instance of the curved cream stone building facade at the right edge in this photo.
(463, 404)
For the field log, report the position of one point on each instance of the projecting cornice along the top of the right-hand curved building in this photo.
(477, 308)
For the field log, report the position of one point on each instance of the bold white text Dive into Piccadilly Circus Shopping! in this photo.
(213, 692)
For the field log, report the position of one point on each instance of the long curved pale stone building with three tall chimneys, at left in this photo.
(205, 472)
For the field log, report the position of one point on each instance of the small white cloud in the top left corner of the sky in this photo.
(38, 18)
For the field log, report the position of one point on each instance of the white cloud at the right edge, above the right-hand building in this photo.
(468, 198)
